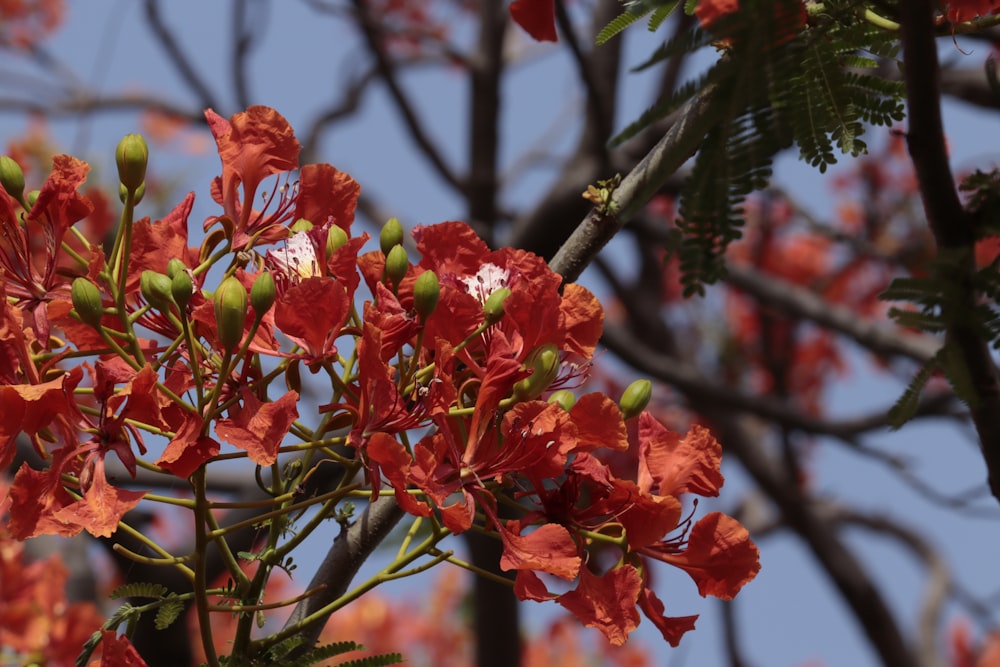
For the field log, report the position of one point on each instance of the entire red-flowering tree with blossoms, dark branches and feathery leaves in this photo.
(444, 382)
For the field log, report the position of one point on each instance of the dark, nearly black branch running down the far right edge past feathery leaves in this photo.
(953, 227)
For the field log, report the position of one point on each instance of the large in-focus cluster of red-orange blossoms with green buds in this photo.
(449, 387)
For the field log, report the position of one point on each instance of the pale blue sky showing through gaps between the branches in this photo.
(789, 614)
